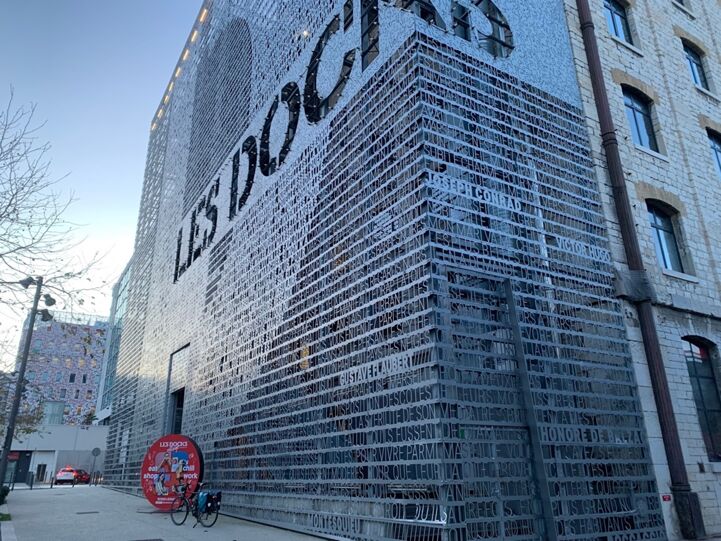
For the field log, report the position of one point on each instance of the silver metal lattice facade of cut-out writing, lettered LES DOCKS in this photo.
(373, 277)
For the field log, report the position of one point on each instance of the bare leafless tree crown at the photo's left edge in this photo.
(35, 239)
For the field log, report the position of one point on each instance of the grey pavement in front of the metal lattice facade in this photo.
(100, 514)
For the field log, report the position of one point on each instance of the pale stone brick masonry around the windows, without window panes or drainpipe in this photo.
(682, 174)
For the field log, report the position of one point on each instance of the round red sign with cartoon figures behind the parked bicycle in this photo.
(171, 461)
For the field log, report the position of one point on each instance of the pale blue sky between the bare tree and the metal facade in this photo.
(96, 70)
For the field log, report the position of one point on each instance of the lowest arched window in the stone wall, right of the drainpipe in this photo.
(705, 393)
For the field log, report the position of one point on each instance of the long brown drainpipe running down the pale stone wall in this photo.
(686, 502)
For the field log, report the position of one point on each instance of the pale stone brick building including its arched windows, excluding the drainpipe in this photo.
(661, 64)
